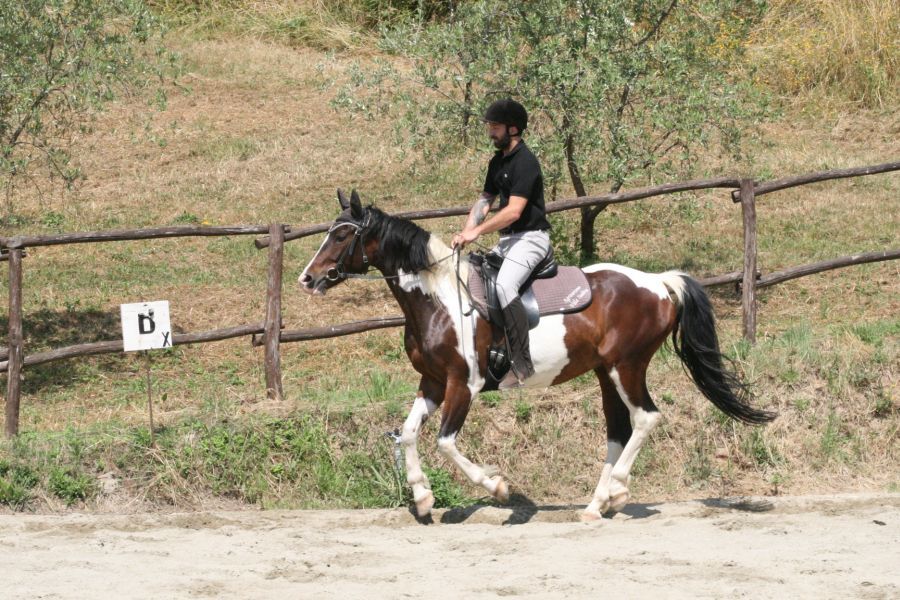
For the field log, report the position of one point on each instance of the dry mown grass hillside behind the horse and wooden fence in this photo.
(249, 137)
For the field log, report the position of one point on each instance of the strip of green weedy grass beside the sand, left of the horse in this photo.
(291, 461)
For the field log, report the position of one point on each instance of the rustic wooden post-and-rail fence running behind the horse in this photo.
(268, 332)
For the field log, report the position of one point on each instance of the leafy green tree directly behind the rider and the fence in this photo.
(619, 90)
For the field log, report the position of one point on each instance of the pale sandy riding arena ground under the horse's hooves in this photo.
(844, 546)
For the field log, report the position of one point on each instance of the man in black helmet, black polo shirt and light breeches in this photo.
(515, 175)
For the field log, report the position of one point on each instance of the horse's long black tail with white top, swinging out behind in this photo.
(697, 345)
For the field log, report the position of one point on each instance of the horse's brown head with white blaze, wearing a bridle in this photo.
(343, 251)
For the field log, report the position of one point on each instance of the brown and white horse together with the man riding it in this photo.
(627, 317)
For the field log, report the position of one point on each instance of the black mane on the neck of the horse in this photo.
(402, 243)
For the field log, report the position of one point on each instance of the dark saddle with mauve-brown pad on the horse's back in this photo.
(549, 290)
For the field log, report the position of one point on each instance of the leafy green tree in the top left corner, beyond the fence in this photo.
(60, 60)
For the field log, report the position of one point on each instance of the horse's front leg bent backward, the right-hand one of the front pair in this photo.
(457, 400)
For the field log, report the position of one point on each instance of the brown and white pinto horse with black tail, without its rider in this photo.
(630, 317)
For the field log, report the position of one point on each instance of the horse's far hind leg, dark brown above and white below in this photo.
(618, 433)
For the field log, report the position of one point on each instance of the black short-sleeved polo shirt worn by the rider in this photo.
(519, 174)
